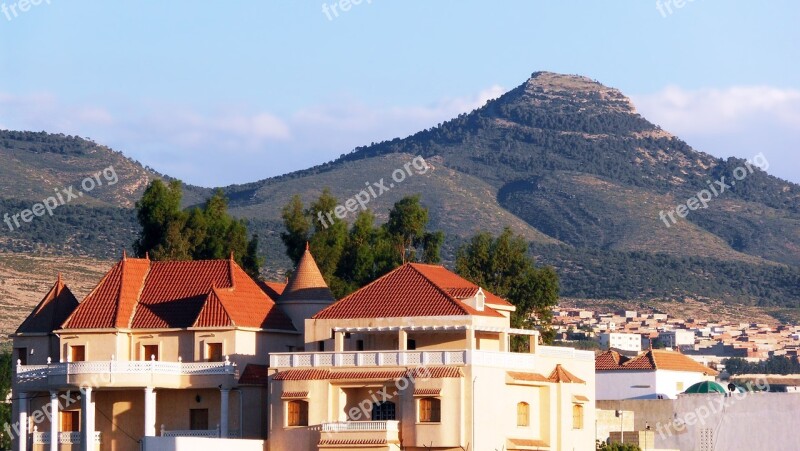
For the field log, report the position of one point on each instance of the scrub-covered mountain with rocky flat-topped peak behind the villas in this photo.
(563, 160)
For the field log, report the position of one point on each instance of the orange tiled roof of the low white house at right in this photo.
(652, 359)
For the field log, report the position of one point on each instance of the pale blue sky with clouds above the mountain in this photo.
(217, 93)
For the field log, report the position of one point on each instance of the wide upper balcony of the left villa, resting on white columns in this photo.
(117, 373)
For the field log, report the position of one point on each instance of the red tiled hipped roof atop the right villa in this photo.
(412, 290)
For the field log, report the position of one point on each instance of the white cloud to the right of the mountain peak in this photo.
(737, 121)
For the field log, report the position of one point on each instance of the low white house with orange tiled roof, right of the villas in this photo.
(653, 374)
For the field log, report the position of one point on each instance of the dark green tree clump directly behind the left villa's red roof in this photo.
(201, 233)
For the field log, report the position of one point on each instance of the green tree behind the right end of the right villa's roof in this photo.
(502, 266)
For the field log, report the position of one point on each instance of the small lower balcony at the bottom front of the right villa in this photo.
(334, 434)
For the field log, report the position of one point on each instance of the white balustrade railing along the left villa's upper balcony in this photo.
(27, 373)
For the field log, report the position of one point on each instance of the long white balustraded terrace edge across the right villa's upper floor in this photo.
(510, 360)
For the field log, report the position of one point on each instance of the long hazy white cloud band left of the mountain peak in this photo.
(231, 144)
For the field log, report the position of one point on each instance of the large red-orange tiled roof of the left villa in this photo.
(143, 294)
